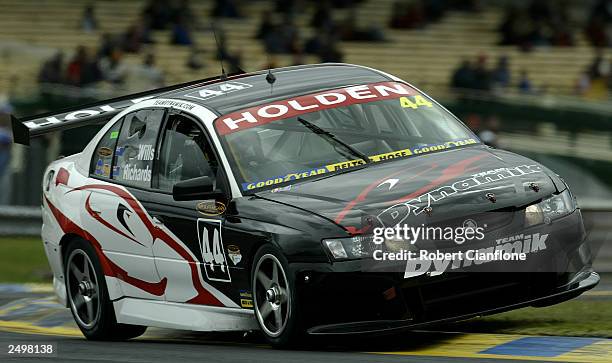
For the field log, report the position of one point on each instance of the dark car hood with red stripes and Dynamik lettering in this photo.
(422, 189)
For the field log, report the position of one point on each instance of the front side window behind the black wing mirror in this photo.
(185, 153)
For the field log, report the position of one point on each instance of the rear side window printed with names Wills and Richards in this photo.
(135, 149)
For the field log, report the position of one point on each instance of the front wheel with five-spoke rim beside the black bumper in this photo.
(275, 299)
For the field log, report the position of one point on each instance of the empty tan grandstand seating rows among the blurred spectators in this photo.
(426, 57)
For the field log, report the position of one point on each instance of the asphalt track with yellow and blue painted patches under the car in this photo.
(53, 324)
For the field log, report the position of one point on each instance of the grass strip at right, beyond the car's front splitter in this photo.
(580, 317)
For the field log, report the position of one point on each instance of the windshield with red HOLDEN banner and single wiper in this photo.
(278, 144)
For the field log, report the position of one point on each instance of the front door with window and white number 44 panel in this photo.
(195, 259)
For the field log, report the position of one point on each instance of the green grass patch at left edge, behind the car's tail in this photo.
(22, 259)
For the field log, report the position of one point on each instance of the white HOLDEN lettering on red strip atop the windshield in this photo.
(263, 114)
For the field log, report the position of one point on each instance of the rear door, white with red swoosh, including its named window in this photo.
(122, 164)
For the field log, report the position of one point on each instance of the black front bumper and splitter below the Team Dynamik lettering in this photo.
(342, 298)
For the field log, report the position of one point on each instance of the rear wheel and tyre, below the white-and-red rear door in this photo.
(87, 295)
